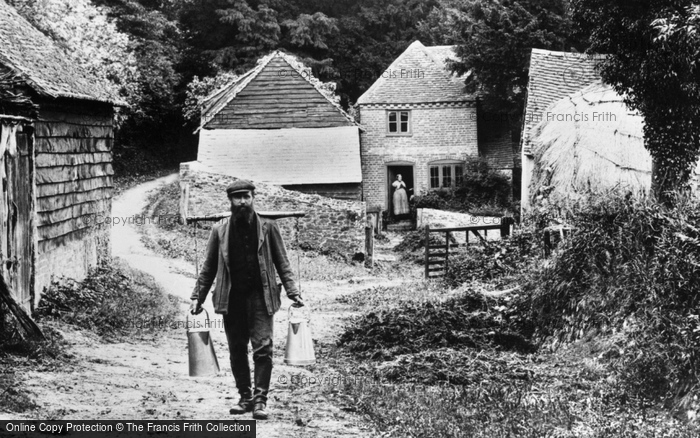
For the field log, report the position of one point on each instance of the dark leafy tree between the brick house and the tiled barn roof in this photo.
(495, 39)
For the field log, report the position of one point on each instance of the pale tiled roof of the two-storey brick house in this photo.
(418, 75)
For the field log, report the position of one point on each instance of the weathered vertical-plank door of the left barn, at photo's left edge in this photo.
(16, 210)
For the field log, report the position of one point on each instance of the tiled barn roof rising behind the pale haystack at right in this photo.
(554, 75)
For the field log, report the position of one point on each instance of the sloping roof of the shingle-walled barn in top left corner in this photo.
(42, 64)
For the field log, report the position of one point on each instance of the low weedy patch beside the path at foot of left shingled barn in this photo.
(112, 301)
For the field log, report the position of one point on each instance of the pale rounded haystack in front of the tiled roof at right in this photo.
(589, 142)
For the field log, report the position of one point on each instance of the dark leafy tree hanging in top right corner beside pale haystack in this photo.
(652, 49)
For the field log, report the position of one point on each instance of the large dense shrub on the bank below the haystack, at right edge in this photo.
(631, 267)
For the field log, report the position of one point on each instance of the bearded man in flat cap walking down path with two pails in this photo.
(244, 255)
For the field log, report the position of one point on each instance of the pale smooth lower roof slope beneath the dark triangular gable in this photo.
(283, 156)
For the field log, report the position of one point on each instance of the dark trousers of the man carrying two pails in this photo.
(247, 320)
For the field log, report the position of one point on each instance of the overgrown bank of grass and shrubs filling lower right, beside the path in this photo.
(615, 309)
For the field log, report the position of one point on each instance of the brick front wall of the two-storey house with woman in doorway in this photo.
(439, 132)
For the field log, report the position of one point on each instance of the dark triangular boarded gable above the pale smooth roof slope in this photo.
(278, 98)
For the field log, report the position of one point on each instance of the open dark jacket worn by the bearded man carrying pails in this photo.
(272, 258)
